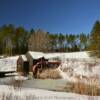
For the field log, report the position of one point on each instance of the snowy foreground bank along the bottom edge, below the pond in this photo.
(9, 93)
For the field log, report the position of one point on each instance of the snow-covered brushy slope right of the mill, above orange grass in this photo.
(74, 71)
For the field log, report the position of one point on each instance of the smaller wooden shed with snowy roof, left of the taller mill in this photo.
(22, 65)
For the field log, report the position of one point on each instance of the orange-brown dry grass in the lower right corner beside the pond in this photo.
(82, 88)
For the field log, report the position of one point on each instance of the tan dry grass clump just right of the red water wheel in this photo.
(49, 74)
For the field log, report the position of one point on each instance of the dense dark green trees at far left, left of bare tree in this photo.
(13, 40)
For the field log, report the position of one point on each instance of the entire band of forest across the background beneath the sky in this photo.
(17, 40)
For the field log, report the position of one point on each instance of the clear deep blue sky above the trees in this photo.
(55, 16)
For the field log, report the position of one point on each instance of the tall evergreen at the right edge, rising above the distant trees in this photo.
(95, 39)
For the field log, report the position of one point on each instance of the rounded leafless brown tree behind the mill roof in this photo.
(38, 41)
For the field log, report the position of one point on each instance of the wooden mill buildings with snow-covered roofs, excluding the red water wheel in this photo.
(26, 62)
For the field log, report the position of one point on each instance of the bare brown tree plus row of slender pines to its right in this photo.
(49, 42)
